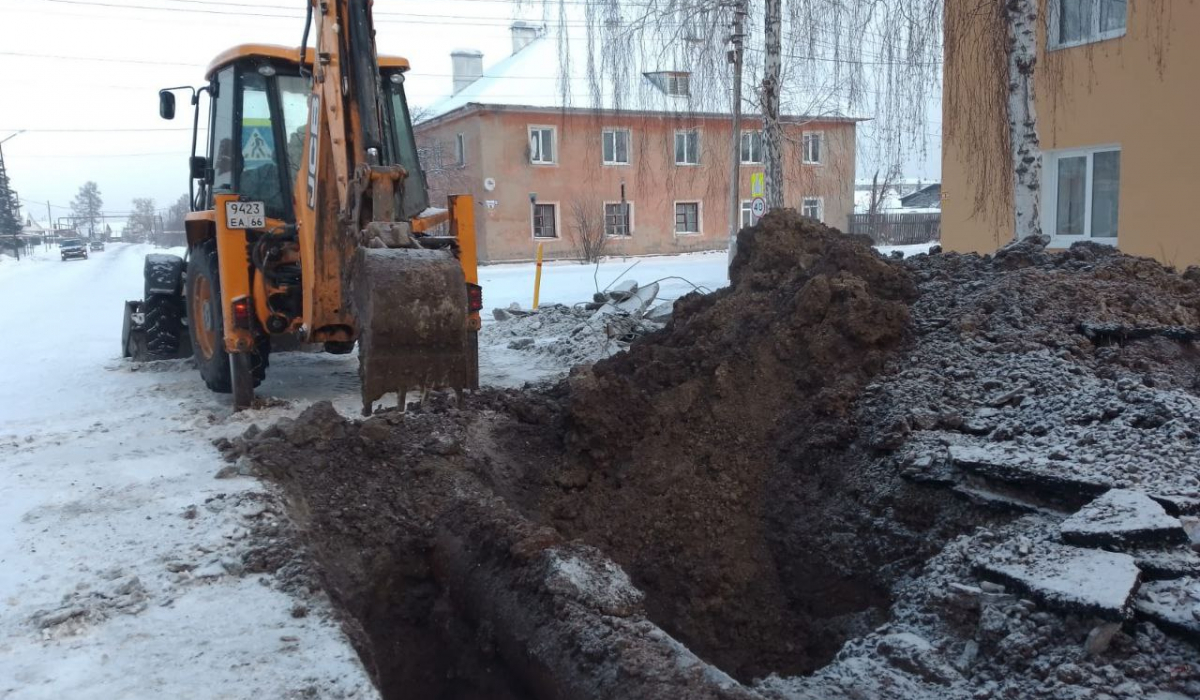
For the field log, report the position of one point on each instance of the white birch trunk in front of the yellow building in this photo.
(1023, 118)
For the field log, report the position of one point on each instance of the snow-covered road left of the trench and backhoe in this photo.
(121, 554)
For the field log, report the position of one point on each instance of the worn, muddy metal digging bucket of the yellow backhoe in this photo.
(412, 309)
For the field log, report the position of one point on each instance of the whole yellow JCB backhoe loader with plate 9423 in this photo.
(311, 222)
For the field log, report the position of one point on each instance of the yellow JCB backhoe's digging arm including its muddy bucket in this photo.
(368, 274)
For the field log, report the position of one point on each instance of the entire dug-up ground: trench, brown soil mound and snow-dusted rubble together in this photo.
(841, 477)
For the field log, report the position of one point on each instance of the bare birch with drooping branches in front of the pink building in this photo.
(814, 58)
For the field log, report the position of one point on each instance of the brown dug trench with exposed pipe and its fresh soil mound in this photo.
(722, 463)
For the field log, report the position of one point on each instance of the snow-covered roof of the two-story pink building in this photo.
(550, 74)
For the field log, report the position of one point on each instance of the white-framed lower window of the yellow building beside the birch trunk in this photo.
(1082, 194)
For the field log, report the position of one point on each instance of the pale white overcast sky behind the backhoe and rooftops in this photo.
(82, 77)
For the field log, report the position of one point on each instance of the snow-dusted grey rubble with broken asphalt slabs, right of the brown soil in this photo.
(1064, 387)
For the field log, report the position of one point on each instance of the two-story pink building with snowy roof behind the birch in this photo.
(649, 178)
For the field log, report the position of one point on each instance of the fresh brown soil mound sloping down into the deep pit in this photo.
(717, 459)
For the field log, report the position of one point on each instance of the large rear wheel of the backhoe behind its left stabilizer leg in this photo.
(207, 324)
